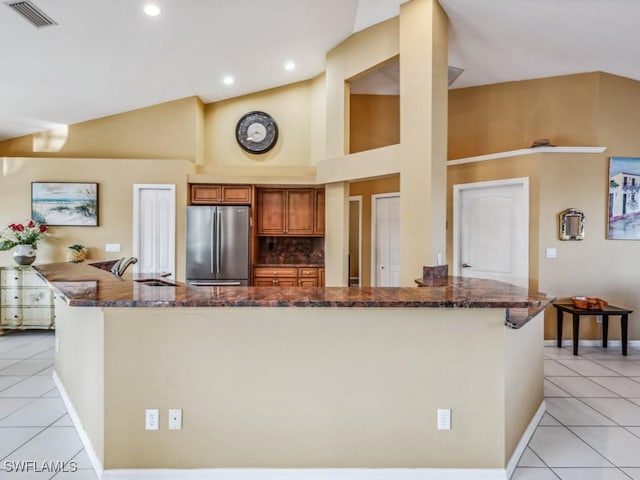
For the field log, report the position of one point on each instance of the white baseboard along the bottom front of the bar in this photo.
(311, 474)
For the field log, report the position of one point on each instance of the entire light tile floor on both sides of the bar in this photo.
(591, 430)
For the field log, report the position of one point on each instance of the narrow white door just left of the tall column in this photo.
(385, 240)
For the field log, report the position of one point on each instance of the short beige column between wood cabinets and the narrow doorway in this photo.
(336, 240)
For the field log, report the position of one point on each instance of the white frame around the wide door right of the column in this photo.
(457, 205)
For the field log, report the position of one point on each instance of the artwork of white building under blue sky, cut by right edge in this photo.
(624, 198)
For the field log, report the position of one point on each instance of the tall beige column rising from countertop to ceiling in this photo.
(423, 136)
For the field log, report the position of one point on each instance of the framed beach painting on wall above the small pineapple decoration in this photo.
(65, 204)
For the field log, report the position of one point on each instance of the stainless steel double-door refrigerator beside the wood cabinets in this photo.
(218, 245)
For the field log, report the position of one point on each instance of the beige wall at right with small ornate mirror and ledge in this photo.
(580, 110)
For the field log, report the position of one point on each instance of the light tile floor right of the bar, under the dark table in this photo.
(591, 430)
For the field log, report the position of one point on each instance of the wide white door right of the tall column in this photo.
(491, 230)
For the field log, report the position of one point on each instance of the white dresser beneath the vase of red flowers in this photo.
(25, 300)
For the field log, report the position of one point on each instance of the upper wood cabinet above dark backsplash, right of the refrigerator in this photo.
(289, 211)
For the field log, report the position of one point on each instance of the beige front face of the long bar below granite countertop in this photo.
(246, 404)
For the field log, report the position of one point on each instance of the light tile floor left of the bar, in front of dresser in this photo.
(34, 425)
